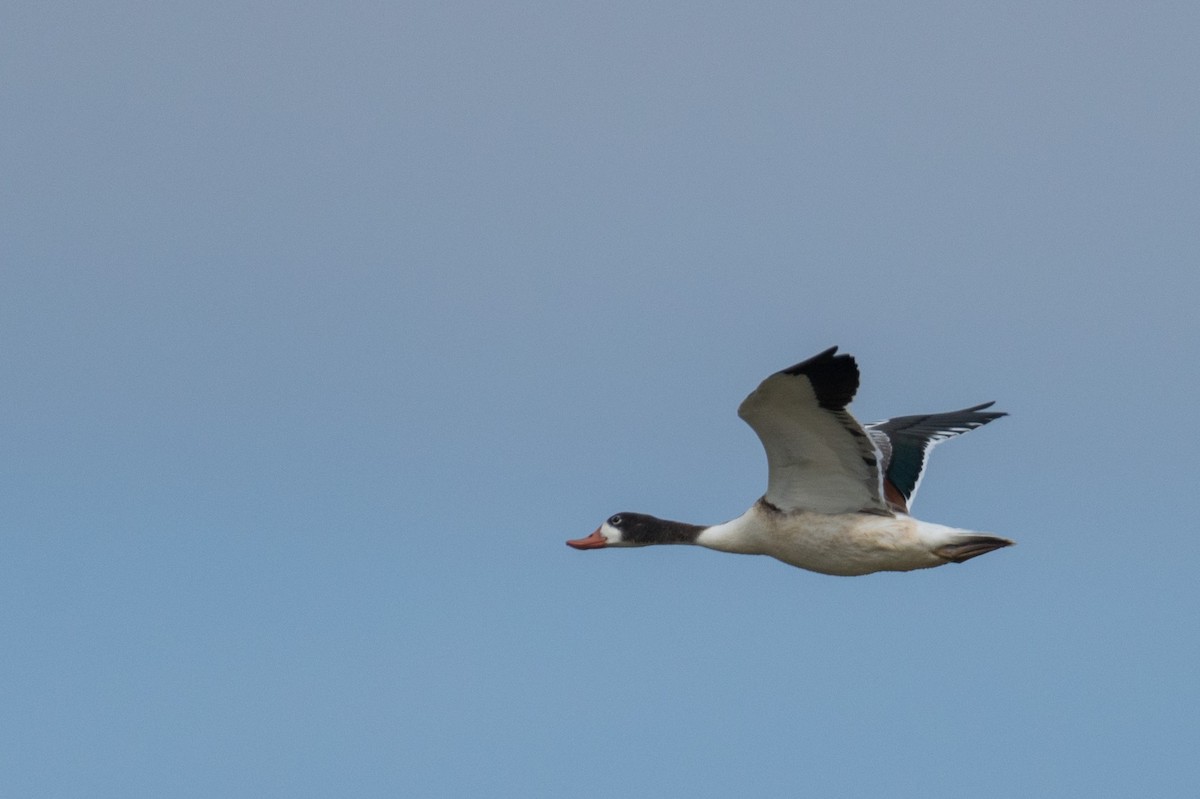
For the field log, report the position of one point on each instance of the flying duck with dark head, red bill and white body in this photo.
(838, 494)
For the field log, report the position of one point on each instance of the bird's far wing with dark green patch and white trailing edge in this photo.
(905, 443)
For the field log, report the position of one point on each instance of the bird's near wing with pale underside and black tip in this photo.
(820, 459)
